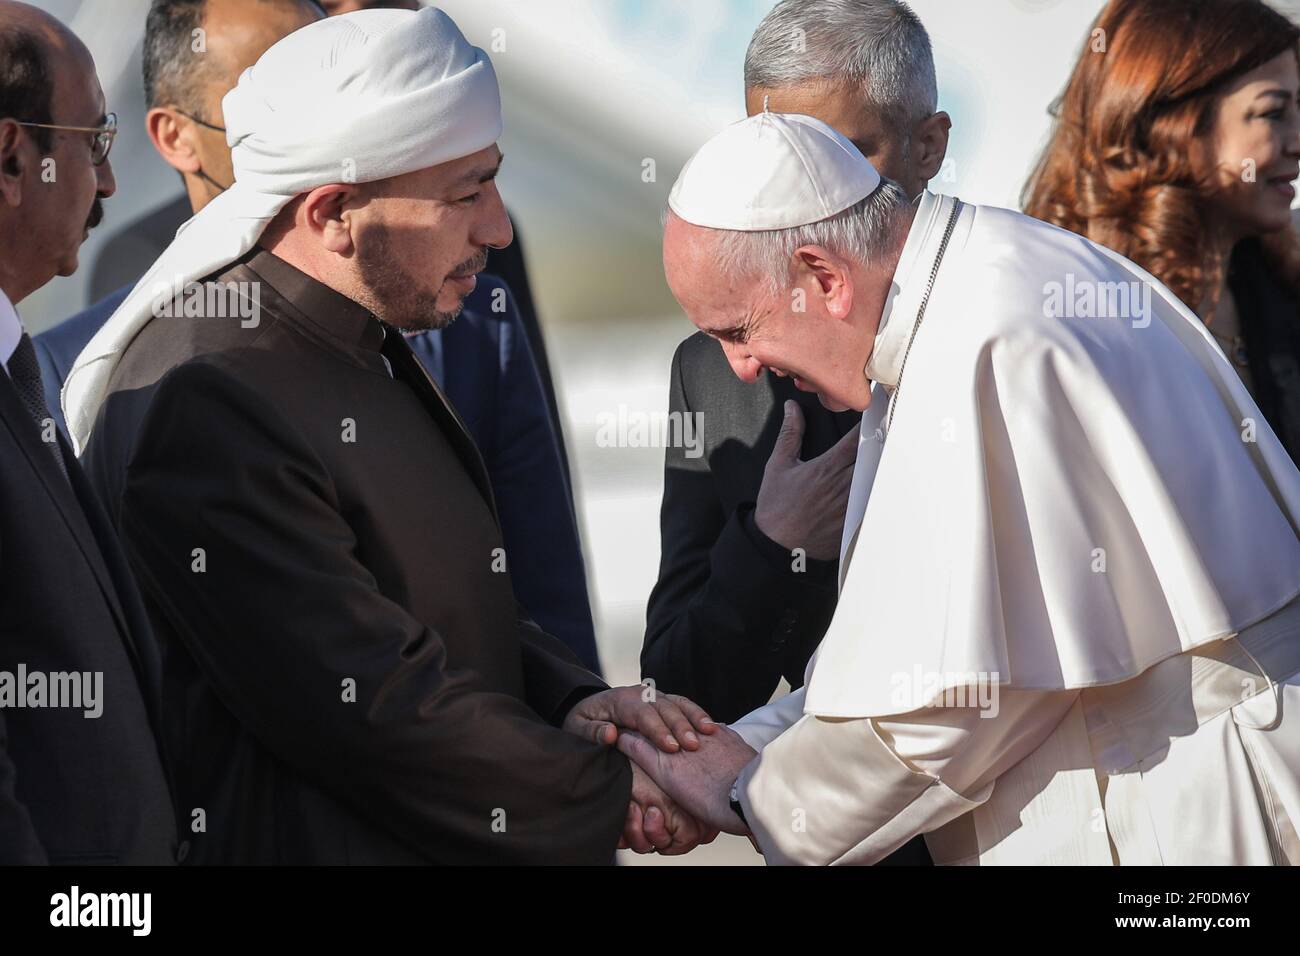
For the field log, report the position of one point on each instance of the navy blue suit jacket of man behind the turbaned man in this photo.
(484, 364)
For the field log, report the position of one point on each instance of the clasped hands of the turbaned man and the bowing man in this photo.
(683, 767)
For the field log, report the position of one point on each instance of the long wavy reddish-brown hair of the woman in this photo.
(1120, 167)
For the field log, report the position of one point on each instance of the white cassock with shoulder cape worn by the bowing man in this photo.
(1087, 513)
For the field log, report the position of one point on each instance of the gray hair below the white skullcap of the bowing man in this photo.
(866, 232)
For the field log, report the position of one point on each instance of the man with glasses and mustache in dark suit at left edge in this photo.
(81, 773)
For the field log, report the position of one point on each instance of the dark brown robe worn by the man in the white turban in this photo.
(346, 677)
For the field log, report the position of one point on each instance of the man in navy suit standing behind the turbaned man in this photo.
(484, 362)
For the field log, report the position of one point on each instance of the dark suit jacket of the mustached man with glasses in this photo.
(73, 790)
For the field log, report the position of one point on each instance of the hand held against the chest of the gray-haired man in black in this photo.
(803, 504)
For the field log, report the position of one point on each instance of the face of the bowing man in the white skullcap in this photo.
(822, 348)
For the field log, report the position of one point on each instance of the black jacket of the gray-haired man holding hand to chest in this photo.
(729, 617)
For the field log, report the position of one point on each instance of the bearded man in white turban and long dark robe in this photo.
(348, 676)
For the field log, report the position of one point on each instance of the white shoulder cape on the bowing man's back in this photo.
(1067, 496)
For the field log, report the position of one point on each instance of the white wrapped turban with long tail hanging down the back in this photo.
(357, 98)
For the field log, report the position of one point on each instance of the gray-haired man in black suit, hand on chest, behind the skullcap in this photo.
(751, 534)
